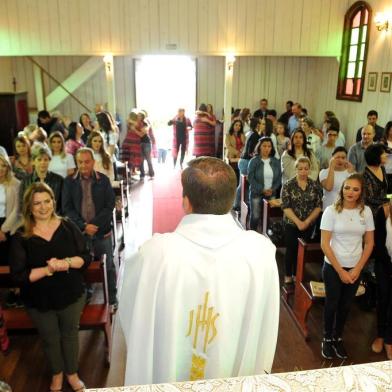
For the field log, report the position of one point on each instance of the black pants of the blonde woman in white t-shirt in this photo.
(338, 299)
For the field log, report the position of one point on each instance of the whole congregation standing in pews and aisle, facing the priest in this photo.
(64, 175)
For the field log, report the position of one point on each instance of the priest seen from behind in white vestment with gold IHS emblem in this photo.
(201, 302)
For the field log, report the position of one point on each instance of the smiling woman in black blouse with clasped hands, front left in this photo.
(49, 255)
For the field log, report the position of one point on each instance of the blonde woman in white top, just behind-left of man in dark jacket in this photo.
(61, 163)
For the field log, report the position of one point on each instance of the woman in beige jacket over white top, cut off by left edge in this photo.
(9, 207)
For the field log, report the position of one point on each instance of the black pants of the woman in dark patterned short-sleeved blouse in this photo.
(291, 235)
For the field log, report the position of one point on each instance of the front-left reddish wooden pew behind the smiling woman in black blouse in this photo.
(94, 316)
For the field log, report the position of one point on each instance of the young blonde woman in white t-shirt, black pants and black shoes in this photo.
(347, 239)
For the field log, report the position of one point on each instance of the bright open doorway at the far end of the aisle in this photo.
(163, 85)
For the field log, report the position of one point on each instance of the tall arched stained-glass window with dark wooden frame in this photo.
(354, 52)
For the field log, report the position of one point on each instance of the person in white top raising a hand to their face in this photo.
(331, 179)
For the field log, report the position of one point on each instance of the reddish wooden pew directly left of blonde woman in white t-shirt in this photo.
(308, 253)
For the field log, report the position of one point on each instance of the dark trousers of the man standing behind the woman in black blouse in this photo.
(100, 246)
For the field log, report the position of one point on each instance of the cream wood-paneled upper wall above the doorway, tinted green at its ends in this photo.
(202, 27)
